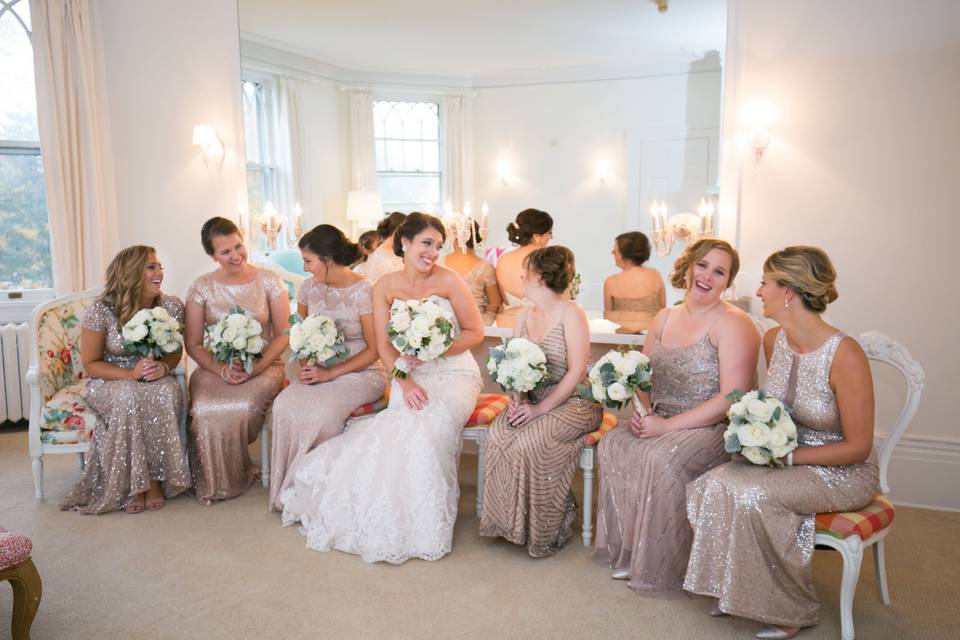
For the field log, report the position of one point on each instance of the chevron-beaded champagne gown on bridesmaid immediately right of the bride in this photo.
(529, 469)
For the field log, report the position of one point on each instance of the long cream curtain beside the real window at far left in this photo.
(71, 142)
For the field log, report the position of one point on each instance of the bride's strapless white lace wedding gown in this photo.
(387, 488)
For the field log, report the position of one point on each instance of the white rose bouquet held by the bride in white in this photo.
(419, 329)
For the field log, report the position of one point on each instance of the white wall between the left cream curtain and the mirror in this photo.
(168, 66)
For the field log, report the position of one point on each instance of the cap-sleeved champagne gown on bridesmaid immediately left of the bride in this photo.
(306, 415)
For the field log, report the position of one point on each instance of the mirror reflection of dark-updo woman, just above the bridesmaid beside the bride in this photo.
(532, 230)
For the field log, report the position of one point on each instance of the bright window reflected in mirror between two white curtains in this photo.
(407, 137)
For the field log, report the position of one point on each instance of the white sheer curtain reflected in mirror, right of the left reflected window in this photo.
(282, 116)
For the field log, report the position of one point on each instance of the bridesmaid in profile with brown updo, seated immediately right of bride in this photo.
(533, 447)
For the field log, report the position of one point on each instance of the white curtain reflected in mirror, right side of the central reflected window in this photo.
(456, 125)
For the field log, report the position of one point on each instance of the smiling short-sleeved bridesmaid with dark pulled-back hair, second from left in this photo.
(228, 405)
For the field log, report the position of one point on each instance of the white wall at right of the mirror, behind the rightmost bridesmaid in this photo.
(863, 162)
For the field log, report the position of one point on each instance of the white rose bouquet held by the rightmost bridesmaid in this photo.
(761, 429)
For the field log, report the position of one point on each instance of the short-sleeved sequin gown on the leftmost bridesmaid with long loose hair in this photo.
(137, 438)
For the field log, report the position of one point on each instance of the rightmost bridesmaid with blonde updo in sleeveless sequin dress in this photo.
(754, 526)
